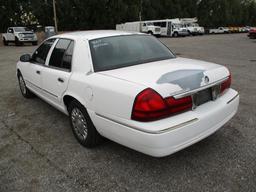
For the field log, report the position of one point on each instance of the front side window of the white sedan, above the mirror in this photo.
(41, 53)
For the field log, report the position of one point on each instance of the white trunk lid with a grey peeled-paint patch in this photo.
(172, 76)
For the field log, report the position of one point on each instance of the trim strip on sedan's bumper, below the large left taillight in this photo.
(148, 131)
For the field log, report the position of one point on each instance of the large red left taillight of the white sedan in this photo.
(150, 106)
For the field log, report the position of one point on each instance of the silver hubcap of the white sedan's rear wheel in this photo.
(79, 123)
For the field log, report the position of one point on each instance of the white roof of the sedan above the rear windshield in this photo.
(94, 34)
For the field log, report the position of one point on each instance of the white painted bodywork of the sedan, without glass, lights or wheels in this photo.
(108, 97)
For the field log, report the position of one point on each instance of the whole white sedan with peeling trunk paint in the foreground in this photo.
(129, 88)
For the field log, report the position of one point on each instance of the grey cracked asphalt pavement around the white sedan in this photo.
(39, 153)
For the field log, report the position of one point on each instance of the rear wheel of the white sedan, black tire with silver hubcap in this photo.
(87, 135)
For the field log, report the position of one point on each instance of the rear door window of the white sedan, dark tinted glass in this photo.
(62, 54)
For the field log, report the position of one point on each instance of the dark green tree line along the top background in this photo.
(105, 14)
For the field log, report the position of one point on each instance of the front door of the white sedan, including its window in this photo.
(32, 72)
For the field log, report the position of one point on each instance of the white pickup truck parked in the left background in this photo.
(19, 36)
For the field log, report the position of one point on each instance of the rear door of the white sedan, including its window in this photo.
(56, 75)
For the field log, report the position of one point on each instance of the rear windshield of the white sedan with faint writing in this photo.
(123, 51)
